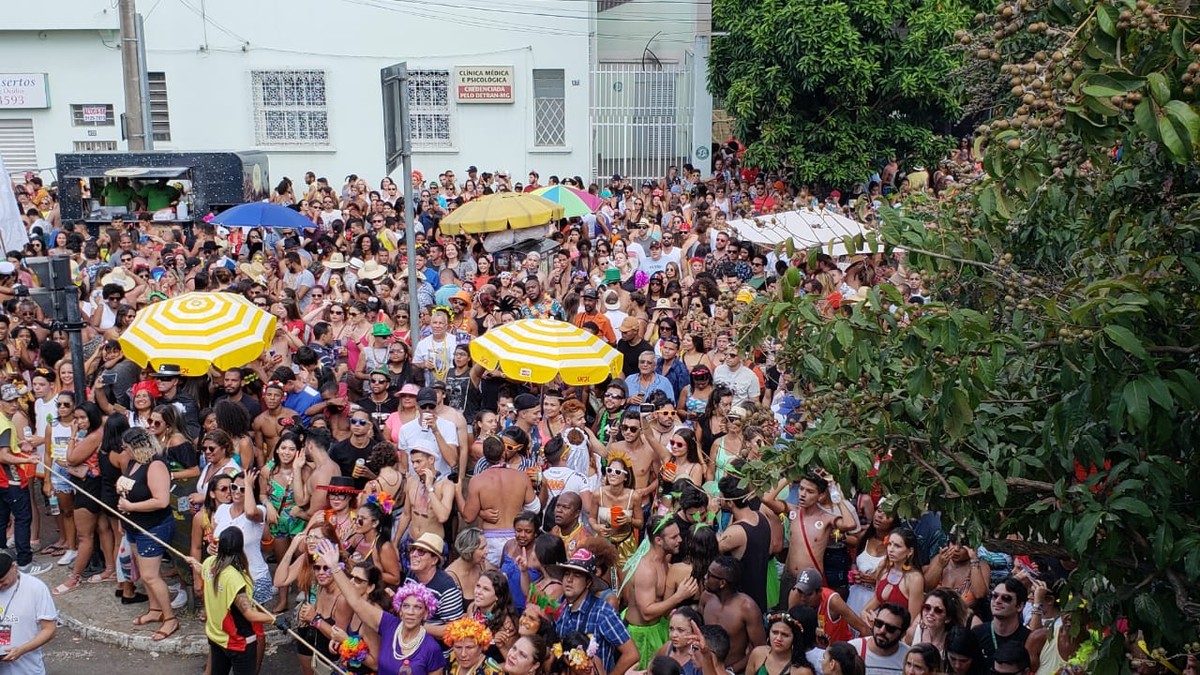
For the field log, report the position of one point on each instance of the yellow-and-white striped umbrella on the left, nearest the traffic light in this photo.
(196, 331)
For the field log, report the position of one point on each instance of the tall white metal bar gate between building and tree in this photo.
(641, 121)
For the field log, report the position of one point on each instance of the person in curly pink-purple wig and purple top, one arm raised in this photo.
(405, 644)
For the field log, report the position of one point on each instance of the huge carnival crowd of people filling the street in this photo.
(400, 509)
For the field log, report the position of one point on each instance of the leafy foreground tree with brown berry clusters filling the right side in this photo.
(1054, 390)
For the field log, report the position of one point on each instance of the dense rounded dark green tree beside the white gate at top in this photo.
(830, 88)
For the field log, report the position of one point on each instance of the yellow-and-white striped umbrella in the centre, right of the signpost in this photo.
(536, 350)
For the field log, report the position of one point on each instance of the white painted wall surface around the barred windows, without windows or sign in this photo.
(208, 64)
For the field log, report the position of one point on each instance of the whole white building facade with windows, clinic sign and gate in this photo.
(505, 85)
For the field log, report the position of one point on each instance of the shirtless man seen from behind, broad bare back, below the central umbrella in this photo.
(496, 497)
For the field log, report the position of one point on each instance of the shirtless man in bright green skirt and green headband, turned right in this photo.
(646, 590)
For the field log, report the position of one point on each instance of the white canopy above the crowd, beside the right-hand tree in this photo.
(805, 228)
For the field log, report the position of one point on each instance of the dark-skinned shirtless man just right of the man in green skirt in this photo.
(737, 613)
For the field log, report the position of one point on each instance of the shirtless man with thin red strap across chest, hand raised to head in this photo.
(813, 524)
